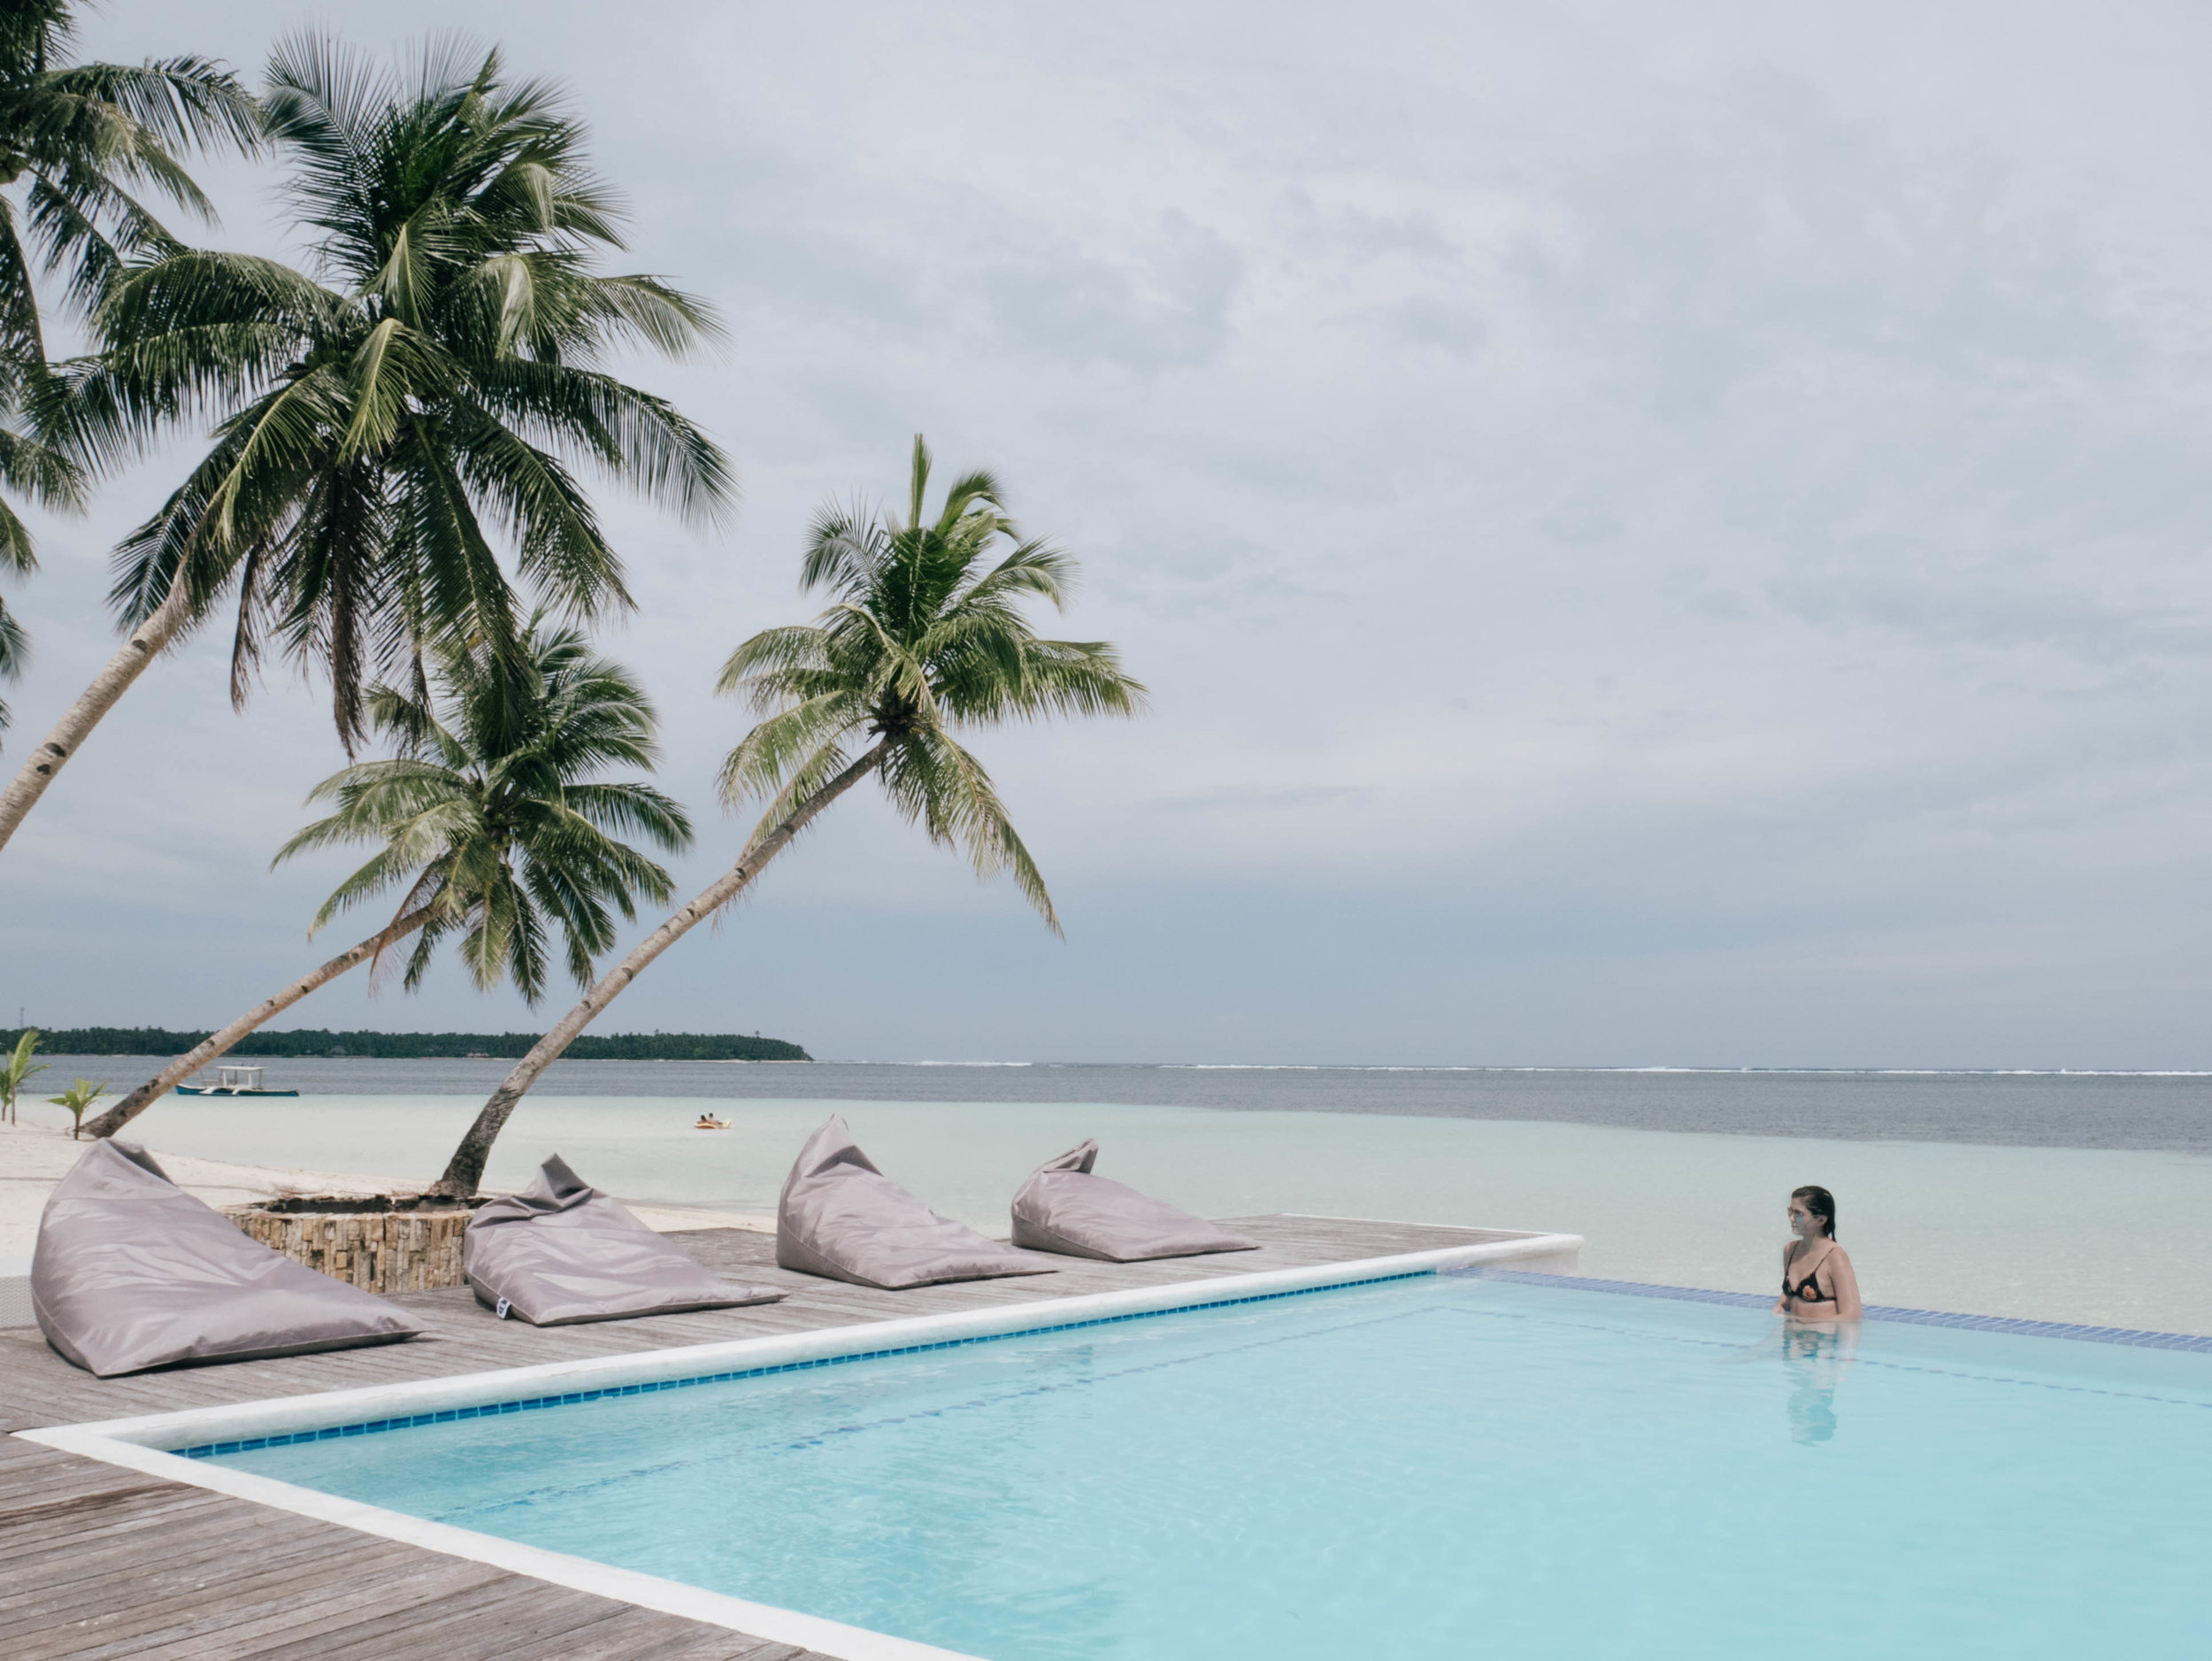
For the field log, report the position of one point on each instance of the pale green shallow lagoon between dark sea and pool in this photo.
(2047, 1233)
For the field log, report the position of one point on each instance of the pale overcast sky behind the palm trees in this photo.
(1656, 536)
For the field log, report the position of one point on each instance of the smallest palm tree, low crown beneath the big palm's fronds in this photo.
(492, 826)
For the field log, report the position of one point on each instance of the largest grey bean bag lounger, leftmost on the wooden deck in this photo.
(134, 1273)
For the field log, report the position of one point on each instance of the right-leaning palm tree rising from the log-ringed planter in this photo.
(926, 636)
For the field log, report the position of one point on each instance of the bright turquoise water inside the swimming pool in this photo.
(1441, 1467)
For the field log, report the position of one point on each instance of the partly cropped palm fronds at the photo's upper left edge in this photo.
(76, 143)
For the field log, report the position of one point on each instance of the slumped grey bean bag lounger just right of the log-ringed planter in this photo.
(561, 1251)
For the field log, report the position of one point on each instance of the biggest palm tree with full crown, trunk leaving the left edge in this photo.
(390, 419)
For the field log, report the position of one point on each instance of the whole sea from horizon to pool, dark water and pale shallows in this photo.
(2056, 1198)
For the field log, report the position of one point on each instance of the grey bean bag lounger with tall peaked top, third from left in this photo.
(846, 1220)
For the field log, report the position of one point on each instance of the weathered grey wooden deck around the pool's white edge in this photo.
(105, 1563)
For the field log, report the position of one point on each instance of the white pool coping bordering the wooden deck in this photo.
(147, 1443)
